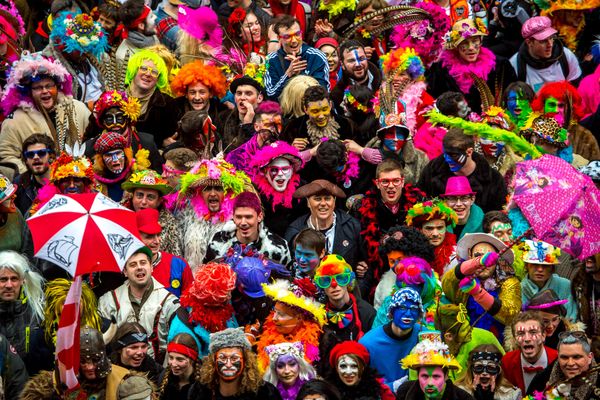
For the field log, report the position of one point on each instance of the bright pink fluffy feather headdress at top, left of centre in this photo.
(201, 23)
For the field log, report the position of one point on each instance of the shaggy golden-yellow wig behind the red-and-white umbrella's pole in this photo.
(56, 293)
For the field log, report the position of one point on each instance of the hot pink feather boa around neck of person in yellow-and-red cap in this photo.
(461, 71)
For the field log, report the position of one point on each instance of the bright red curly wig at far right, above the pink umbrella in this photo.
(561, 91)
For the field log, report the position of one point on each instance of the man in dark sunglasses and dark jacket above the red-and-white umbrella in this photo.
(38, 153)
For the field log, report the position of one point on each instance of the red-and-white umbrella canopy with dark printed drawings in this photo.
(84, 233)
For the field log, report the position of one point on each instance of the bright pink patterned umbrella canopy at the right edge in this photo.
(560, 204)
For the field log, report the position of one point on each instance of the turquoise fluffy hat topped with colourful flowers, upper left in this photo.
(79, 33)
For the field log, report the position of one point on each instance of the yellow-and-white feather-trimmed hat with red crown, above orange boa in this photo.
(298, 295)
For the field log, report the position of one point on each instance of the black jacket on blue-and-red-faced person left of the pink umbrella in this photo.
(485, 181)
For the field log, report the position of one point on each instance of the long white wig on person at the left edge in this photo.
(32, 290)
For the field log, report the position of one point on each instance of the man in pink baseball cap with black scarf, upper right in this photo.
(542, 57)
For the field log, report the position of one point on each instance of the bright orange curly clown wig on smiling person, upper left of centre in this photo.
(196, 72)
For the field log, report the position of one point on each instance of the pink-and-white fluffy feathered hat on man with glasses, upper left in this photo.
(28, 69)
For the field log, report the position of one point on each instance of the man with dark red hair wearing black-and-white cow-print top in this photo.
(247, 229)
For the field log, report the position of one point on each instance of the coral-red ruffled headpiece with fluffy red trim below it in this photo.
(208, 297)
